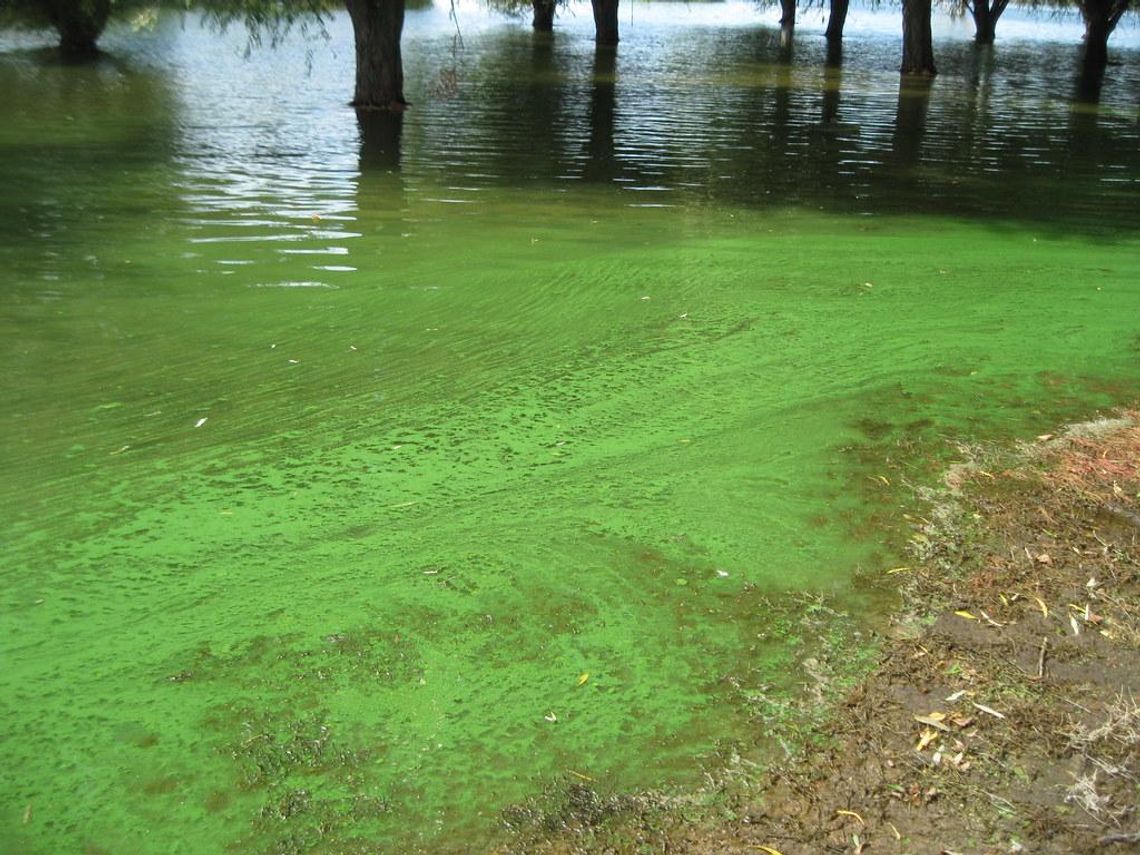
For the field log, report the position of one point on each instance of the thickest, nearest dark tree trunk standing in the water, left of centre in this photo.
(377, 26)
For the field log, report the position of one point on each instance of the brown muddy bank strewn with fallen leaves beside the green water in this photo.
(1001, 716)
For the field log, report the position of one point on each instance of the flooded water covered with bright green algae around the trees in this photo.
(362, 481)
